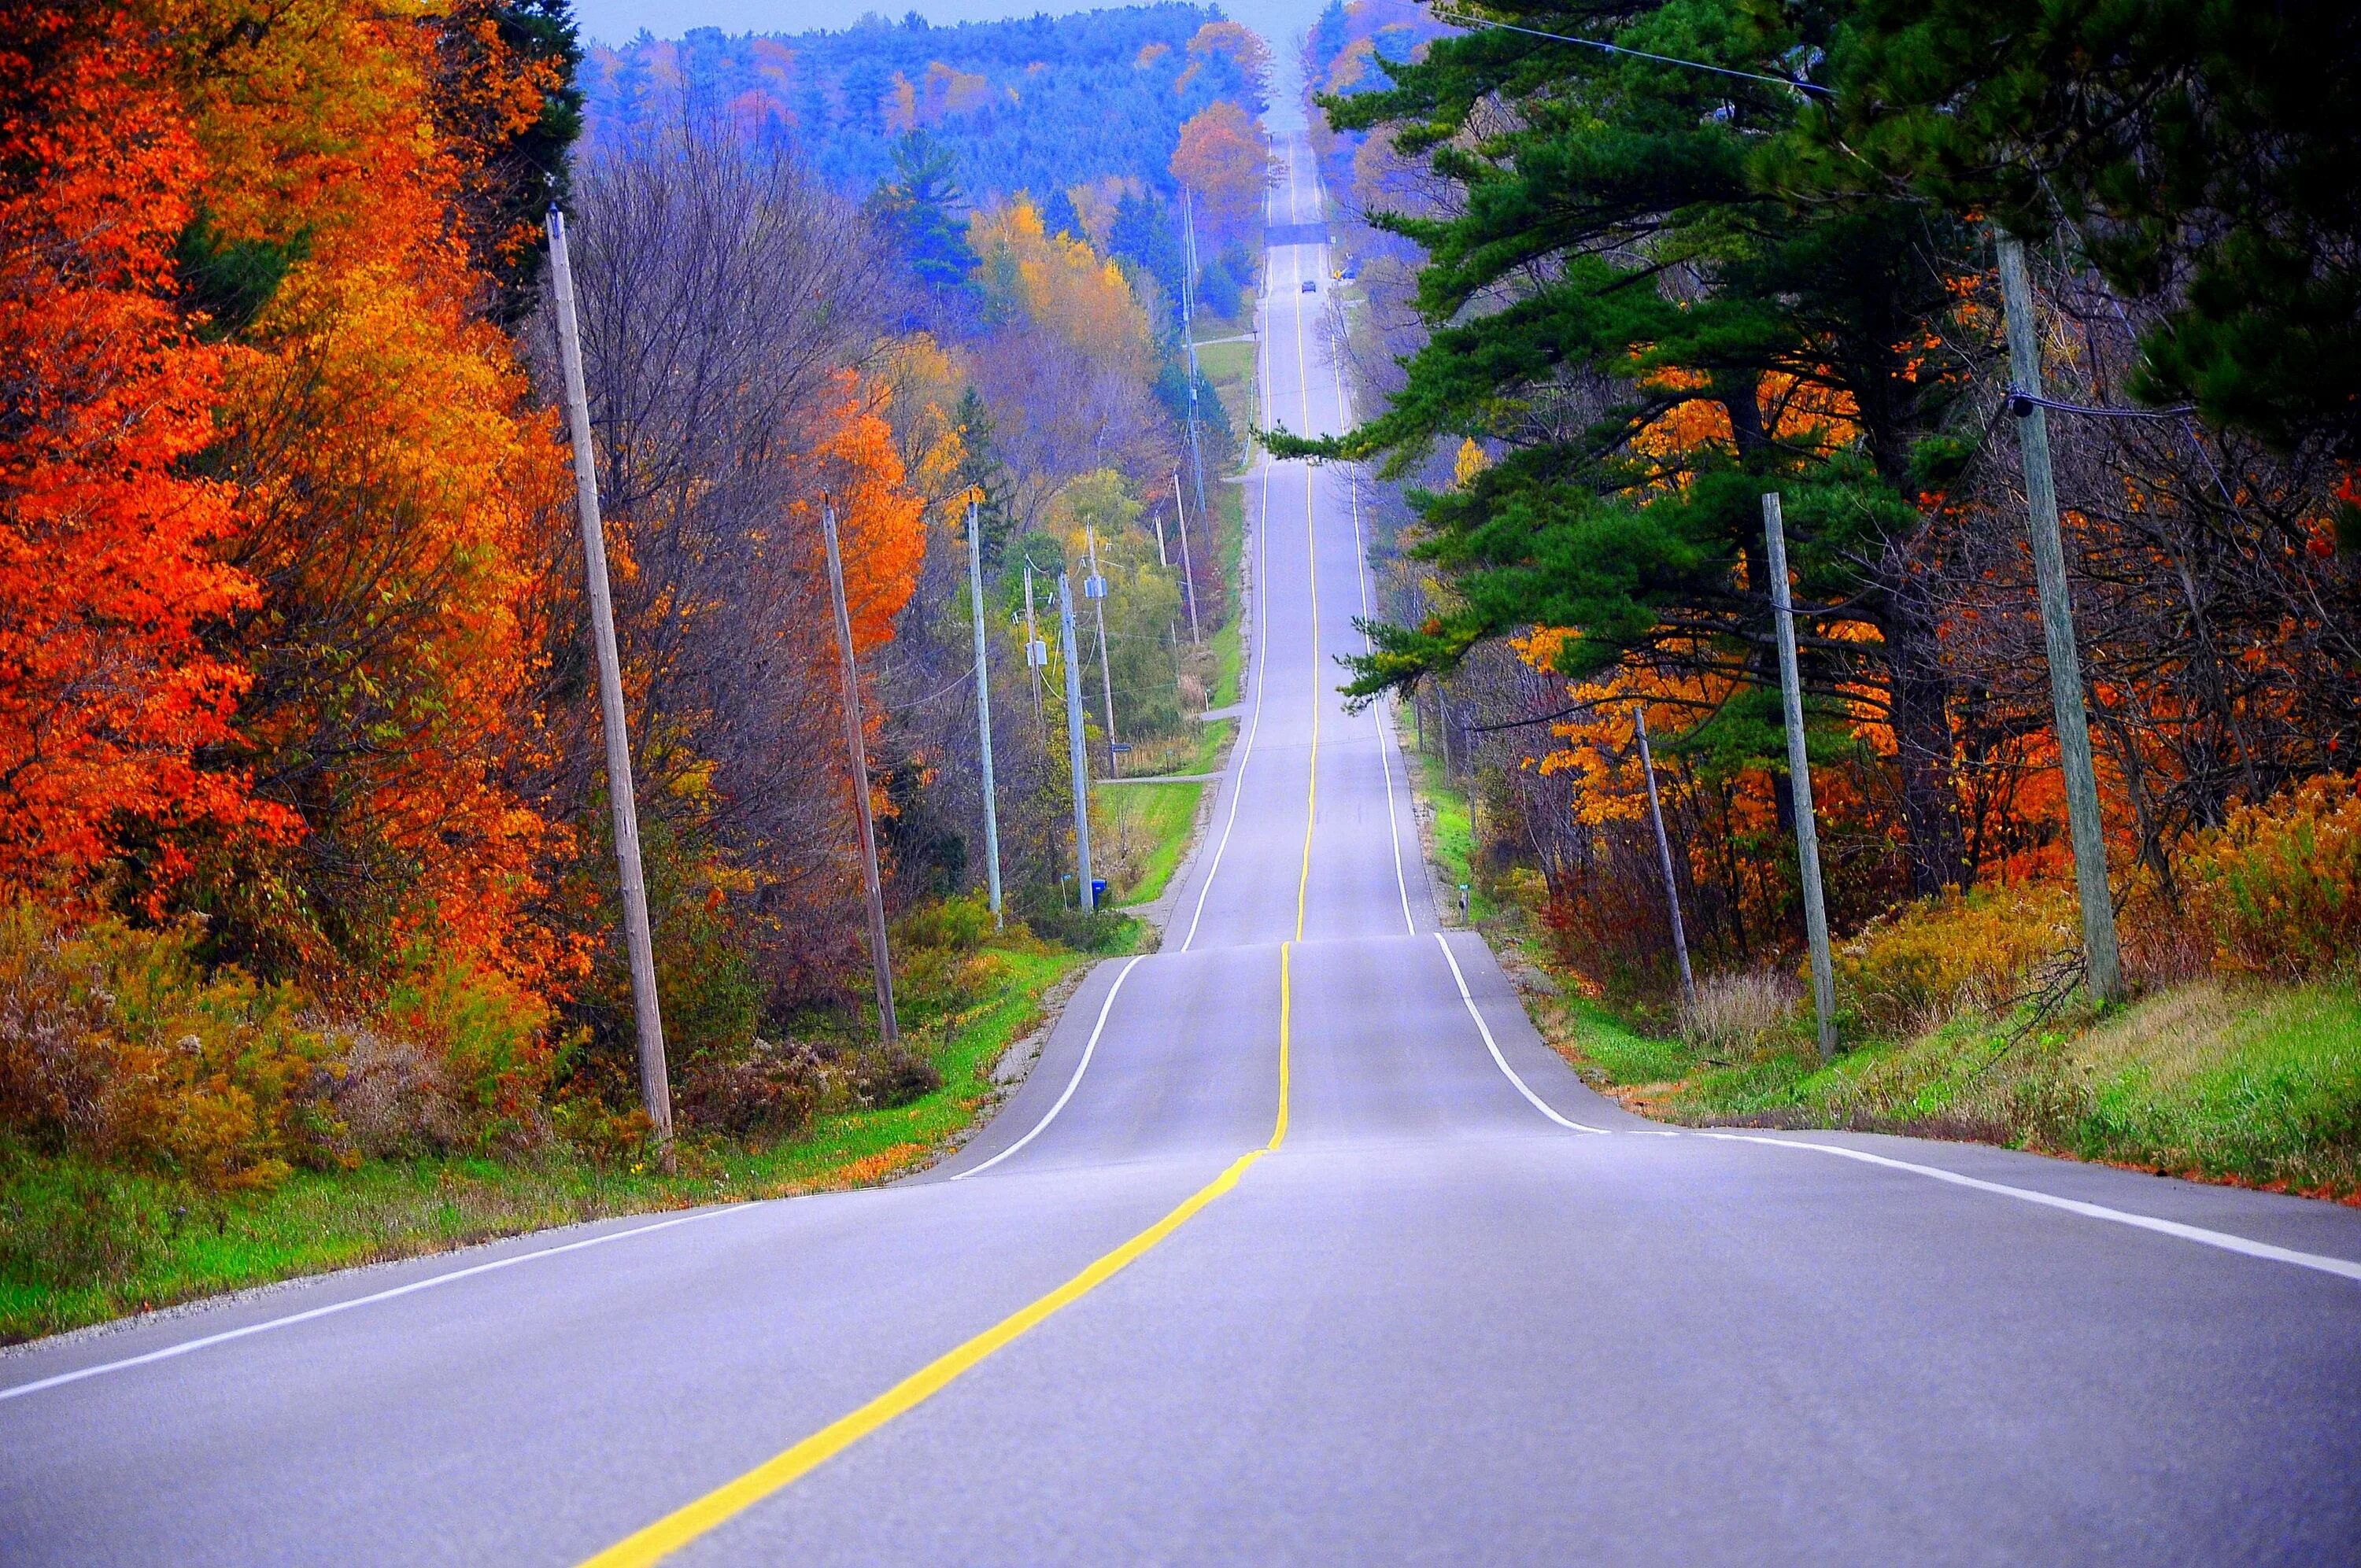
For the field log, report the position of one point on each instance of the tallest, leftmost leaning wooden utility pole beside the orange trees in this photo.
(648, 1017)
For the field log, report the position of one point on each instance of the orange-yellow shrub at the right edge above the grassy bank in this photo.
(2277, 889)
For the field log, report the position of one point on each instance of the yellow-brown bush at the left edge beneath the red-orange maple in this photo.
(119, 1045)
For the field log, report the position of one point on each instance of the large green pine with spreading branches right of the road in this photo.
(1652, 337)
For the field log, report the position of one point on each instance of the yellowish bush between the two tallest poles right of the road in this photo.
(1947, 955)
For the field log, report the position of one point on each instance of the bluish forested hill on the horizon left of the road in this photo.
(1040, 105)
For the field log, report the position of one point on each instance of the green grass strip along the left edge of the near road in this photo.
(84, 1243)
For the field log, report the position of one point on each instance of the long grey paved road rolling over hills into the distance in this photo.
(1297, 1246)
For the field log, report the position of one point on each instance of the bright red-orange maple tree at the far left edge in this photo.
(107, 542)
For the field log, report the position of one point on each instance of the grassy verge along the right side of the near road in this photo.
(2225, 1083)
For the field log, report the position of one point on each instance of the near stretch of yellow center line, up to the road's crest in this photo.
(733, 1498)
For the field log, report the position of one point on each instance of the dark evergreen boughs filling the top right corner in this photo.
(2204, 155)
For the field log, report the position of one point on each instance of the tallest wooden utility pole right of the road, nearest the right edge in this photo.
(2100, 955)
